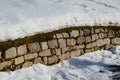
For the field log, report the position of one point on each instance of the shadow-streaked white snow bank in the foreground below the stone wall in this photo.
(90, 66)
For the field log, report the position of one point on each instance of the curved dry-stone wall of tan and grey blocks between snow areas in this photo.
(63, 45)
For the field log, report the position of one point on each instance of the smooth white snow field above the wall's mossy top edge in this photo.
(20, 18)
